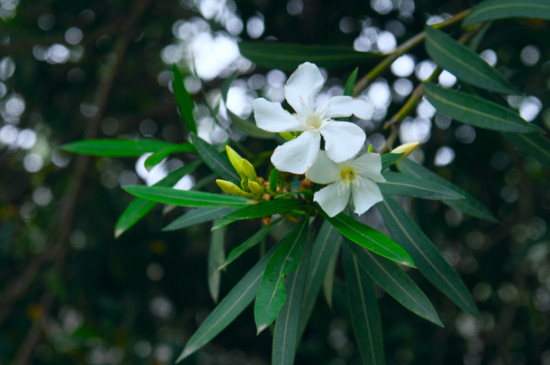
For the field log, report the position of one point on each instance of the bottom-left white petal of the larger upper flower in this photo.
(297, 155)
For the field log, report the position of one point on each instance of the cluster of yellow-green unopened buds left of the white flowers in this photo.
(251, 186)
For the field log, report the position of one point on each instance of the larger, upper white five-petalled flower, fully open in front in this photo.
(342, 139)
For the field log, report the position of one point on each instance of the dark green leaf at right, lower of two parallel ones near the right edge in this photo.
(475, 111)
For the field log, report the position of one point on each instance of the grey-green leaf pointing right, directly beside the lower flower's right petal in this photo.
(406, 185)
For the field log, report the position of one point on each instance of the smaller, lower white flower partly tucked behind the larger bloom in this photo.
(356, 177)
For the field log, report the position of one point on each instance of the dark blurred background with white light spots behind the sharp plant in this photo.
(72, 294)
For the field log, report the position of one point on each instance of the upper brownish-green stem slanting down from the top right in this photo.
(399, 51)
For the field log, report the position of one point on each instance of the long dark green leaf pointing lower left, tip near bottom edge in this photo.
(229, 308)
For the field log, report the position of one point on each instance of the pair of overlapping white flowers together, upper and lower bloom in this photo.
(335, 165)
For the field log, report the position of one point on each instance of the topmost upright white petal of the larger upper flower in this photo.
(302, 87)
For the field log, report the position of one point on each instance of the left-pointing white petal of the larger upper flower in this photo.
(270, 116)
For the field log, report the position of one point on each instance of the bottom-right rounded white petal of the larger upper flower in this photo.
(342, 140)
